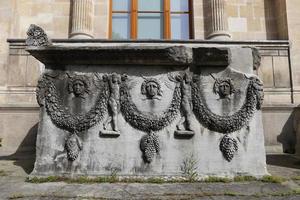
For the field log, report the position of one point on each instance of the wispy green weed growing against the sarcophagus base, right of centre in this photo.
(189, 168)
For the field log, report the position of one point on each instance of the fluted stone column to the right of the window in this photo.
(219, 30)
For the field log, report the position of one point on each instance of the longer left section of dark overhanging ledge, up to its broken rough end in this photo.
(116, 55)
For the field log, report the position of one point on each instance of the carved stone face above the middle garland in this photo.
(151, 88)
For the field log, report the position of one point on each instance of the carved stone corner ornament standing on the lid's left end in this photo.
(37, 36)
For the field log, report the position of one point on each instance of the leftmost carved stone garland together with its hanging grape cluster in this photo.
(47, 96)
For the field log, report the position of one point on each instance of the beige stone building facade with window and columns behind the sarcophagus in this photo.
(271, 26)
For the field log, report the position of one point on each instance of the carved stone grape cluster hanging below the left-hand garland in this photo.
(73, 147)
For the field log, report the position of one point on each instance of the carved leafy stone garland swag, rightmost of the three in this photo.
(228, 123)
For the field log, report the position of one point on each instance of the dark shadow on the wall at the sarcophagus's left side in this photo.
(25, 154)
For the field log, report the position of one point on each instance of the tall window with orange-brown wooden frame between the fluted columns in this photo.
(150, 19)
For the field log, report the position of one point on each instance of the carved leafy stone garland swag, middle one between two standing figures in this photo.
(143, 122)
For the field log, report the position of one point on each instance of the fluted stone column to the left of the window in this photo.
(82, 19)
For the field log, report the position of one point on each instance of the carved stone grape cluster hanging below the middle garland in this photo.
(149, 146)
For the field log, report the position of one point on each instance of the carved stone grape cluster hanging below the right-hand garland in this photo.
(228, 146)
